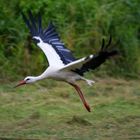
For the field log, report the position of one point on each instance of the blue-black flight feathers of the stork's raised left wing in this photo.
(49, 36)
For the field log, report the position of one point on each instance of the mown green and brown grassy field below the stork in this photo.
(52, 110)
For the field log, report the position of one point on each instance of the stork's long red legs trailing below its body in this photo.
(81, 96)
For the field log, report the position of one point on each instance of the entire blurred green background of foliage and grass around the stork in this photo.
(52, 110)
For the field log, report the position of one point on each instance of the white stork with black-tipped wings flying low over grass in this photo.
(63, 66)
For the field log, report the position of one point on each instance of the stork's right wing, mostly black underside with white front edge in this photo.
(93, 61)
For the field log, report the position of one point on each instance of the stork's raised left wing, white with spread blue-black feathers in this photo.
(49, 41)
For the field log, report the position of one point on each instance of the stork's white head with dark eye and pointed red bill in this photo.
(27, 80)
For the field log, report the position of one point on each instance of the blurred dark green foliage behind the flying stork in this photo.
(82, 24)
